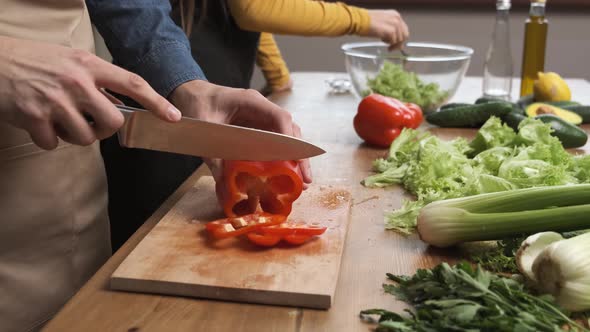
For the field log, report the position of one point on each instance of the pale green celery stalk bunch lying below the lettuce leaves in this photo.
(505, 214)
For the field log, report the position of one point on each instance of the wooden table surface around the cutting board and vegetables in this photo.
(370, 251)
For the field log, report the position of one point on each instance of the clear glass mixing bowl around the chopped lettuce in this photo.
(442, 64)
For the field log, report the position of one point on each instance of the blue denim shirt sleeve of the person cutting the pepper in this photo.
(142, 38)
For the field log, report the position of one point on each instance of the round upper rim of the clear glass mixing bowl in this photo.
(465, 52)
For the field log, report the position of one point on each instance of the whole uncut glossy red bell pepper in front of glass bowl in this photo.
(380, 119)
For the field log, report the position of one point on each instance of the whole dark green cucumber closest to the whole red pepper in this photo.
(470, 116)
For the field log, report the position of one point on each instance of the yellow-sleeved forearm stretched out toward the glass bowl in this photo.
(300, 17)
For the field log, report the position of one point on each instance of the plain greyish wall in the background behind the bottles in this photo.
(568, 46)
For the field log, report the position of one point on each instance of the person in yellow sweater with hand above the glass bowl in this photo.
(304, 18)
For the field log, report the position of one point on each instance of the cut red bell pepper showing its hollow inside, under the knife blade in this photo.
(251, 186)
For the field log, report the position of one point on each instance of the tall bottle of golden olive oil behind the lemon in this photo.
(535, 40)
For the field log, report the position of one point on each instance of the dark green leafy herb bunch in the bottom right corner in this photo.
(461, 298)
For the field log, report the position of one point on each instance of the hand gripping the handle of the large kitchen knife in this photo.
(48, 90)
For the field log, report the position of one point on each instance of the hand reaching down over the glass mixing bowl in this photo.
(388, 26)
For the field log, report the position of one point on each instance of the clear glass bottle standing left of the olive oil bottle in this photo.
(497, 79)
